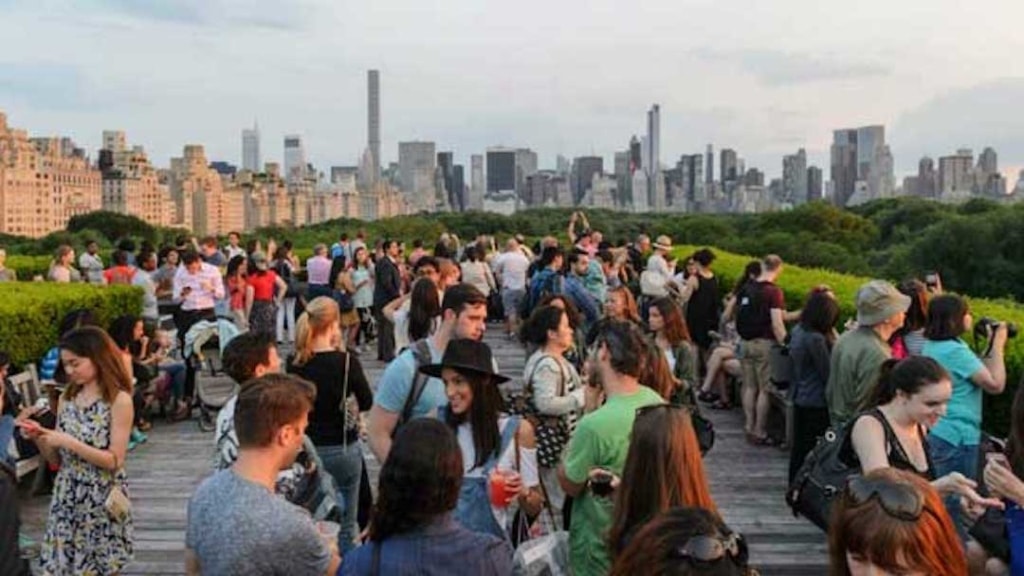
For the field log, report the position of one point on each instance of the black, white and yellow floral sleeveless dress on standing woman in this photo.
(81, 538)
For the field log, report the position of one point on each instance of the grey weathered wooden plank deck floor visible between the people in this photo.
(748, 485)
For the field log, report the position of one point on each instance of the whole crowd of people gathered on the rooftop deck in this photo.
(595, 450)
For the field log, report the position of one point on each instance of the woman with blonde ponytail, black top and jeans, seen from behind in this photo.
(343, 393)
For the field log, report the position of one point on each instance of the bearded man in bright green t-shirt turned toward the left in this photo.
(602, 441)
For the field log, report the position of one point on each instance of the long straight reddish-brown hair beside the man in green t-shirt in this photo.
(664, 470)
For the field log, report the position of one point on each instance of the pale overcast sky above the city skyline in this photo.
(570, 77)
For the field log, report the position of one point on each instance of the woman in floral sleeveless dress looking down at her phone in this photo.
(90, 444)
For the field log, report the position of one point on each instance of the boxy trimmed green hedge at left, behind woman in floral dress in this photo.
(31, 313)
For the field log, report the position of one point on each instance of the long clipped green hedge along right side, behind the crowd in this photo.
(797, 282)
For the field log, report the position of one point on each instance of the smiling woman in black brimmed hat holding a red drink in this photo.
(492, 443)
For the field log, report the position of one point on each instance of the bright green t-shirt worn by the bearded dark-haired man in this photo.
(602, 440)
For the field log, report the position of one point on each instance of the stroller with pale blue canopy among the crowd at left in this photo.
(205, 342)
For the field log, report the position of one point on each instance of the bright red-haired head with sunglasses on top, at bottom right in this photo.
(893, 521)
